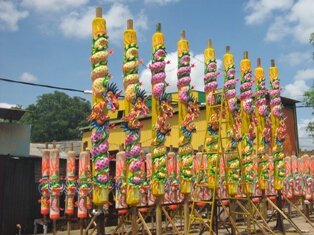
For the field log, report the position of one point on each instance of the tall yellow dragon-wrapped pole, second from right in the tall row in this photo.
(263, 134)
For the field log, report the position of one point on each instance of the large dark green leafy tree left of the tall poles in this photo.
(56, 116)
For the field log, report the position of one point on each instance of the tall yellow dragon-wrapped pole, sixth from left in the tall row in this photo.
(233, 126)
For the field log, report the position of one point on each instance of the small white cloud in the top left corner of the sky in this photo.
(10, 15)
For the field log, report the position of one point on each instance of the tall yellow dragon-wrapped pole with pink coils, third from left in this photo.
(161, 111)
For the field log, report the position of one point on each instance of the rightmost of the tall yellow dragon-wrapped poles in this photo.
(278, 127)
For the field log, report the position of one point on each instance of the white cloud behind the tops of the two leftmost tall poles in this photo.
(79, 24)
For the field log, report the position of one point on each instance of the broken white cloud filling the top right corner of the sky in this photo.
(292, 18)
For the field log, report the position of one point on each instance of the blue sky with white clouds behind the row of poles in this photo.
(49, 41)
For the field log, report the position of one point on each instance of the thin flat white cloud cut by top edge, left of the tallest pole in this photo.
(52, 5)
